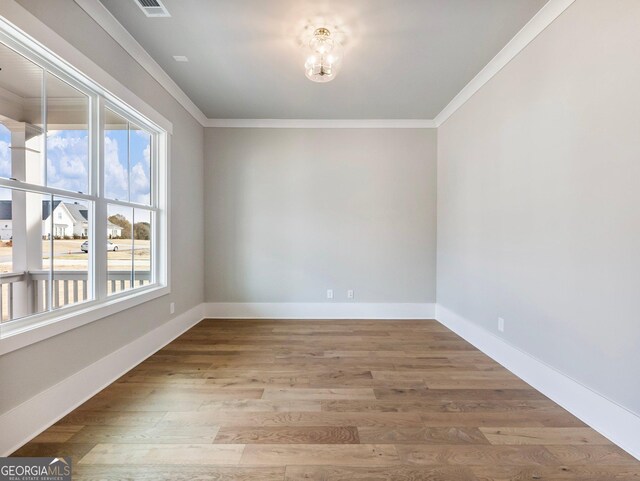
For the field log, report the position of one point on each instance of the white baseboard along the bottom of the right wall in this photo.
(616, 423)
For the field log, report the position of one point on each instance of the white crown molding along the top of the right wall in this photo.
(534, 27)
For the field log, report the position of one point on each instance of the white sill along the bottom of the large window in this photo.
(17, 334)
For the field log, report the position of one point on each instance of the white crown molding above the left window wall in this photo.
(121, 35)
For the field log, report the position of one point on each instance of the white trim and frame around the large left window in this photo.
(38, 327)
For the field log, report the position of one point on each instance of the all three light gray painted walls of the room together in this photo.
(537, 208)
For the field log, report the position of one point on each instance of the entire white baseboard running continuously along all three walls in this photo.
(32, 417)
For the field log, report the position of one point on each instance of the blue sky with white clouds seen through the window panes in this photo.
(127, 177)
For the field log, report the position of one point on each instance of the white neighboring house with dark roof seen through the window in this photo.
(69, 219)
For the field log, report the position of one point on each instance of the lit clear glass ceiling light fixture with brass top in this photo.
(323, 56)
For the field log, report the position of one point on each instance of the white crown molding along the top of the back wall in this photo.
(322, 123)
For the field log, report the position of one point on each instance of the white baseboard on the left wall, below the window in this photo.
(30, 418)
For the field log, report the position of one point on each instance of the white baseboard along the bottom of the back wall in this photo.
(318, 310)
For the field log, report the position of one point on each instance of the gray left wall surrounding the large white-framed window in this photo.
(28, 371)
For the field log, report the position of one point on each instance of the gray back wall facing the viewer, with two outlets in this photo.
(290, 213)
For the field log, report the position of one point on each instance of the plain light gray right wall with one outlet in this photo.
(538, 195)
